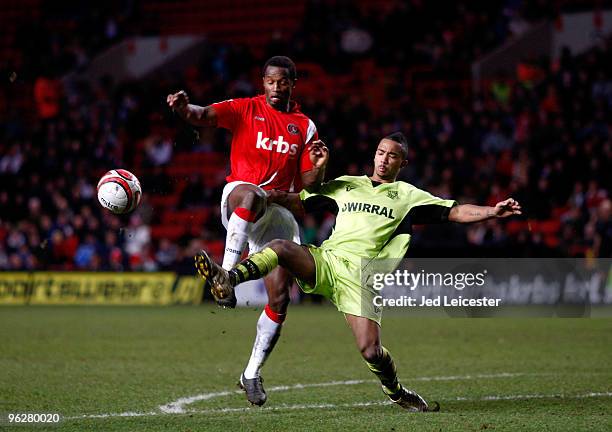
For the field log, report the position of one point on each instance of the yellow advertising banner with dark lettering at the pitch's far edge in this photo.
(99, 288)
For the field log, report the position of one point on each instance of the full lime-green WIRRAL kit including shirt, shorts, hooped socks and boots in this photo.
(373, 226)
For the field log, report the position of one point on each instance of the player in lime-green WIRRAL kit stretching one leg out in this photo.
(374, 219)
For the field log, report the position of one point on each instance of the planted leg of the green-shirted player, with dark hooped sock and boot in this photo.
(380, 362)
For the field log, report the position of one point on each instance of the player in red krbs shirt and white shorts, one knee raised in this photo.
(274, 146)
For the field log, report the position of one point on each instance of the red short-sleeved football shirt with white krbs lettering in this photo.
(269, 147)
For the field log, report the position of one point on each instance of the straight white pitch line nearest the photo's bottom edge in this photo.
(337, 406)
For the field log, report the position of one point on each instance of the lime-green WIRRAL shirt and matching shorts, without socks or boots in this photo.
(373, 225)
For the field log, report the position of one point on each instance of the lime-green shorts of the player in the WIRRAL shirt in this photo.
(339, 280)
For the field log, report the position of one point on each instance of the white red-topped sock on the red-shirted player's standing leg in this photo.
(268, 331)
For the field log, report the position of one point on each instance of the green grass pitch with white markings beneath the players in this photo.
(112, 368)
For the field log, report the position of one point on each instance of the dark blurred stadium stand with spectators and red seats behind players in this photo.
(499, 98)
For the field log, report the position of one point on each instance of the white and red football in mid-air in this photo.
(119, 191)
